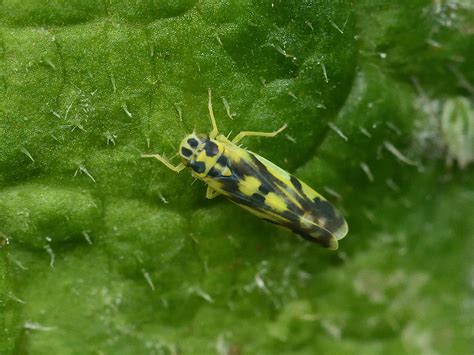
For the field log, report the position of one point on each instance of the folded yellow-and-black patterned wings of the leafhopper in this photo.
(276, 196)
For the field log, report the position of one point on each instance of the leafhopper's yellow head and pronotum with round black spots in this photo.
(200, 153)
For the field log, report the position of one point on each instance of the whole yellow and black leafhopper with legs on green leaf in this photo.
(258, 185)
